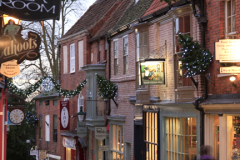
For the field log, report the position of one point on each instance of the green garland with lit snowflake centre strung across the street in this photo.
(66, 93)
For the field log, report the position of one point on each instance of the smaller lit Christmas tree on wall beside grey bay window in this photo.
(107, 89)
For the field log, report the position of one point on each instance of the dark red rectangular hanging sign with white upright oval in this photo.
(64, 112)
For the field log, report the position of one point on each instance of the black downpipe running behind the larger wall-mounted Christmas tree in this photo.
(205, 95)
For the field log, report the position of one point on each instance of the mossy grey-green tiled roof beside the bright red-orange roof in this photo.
(134, 12)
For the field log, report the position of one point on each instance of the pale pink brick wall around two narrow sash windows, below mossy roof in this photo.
(126, 87)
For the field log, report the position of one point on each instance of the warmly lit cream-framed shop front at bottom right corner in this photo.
(222, 128)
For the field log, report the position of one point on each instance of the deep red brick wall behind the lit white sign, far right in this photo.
(215, 31)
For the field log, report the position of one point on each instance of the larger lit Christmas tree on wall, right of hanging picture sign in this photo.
(195, 59)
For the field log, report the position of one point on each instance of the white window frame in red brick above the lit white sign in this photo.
(231, 16)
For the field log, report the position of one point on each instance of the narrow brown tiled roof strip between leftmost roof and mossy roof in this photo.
(113, 19)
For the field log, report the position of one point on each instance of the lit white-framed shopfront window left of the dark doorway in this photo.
(117, 142)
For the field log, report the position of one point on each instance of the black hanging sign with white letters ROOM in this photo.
(31, 10)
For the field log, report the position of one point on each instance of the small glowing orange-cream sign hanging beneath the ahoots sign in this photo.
(10, 68)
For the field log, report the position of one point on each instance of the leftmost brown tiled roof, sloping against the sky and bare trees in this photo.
(94, 14)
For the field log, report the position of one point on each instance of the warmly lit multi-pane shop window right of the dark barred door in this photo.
(181, 138)
